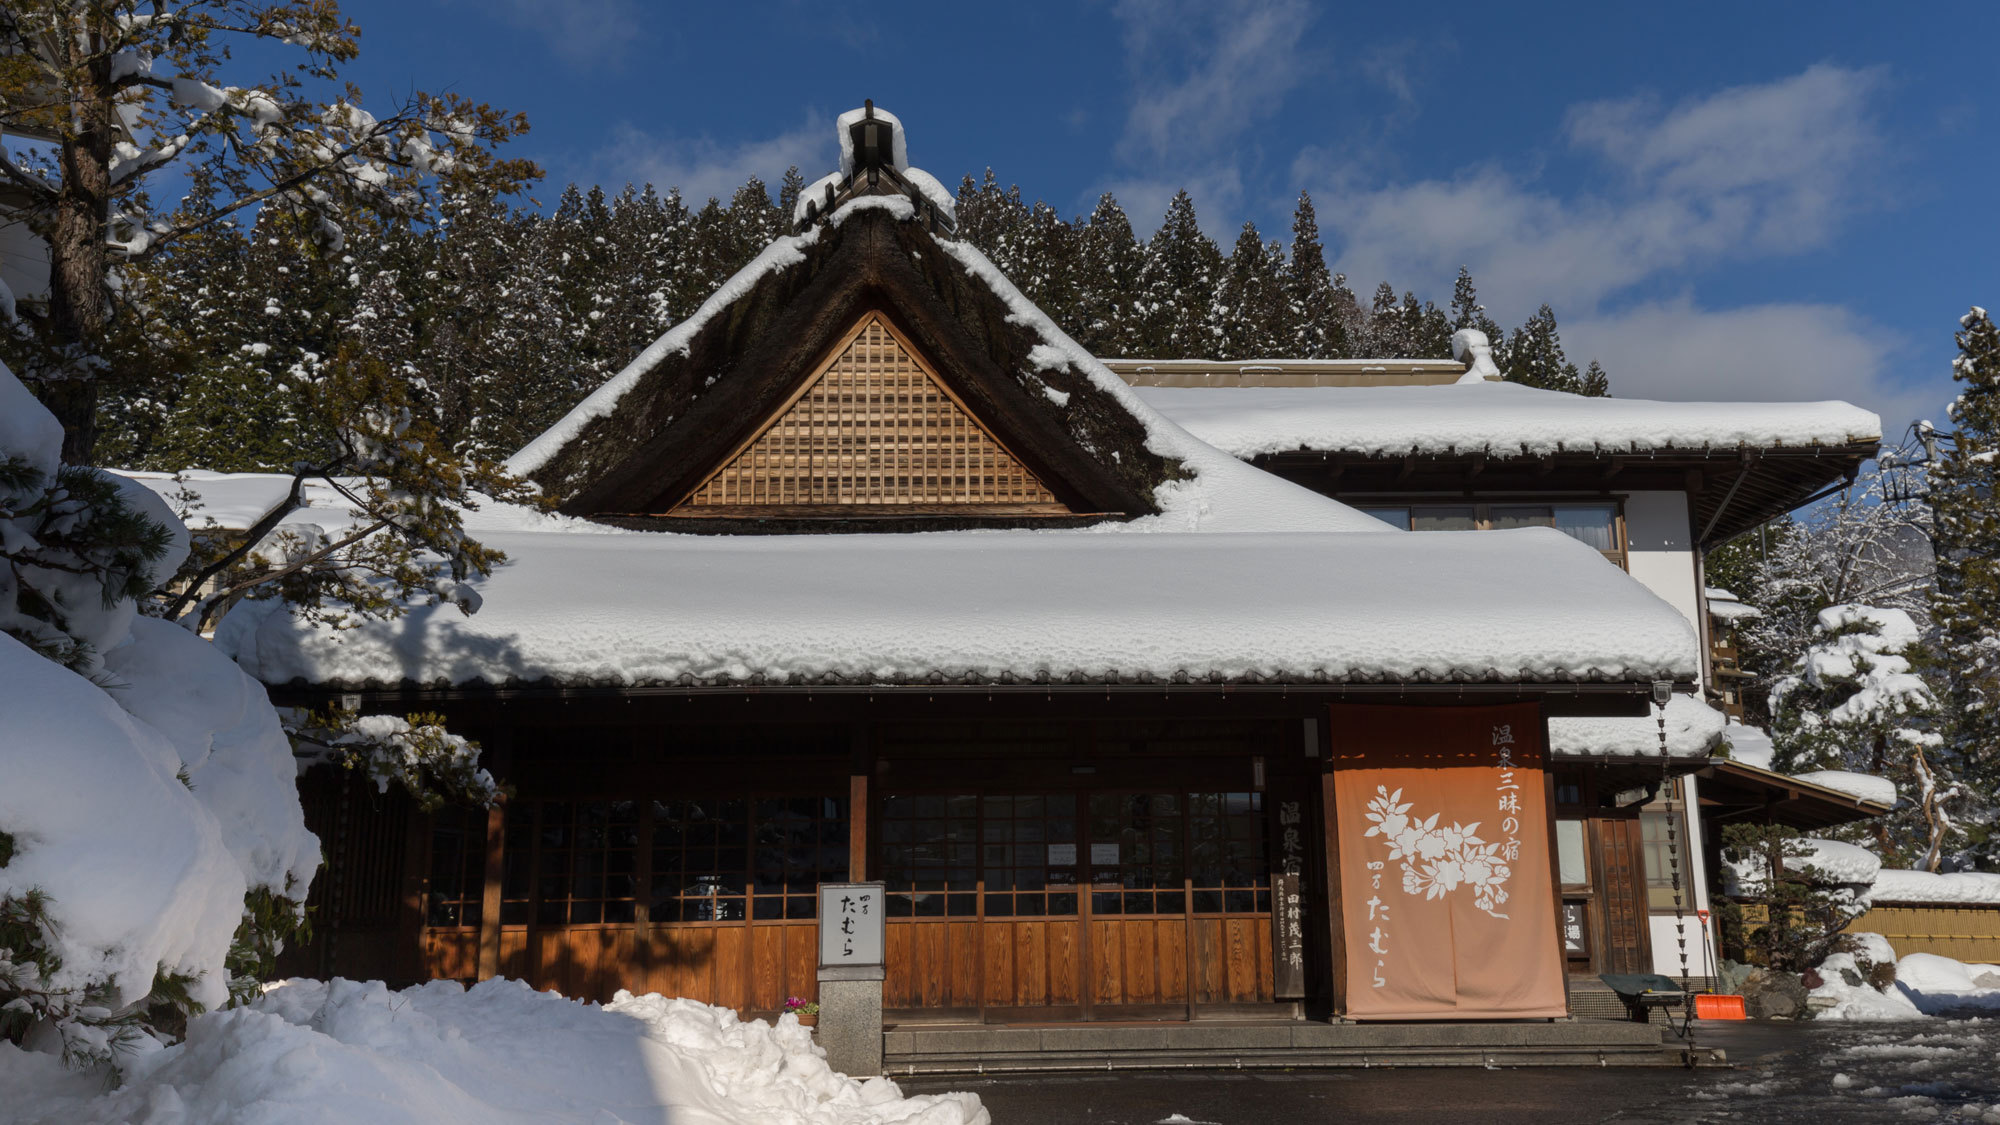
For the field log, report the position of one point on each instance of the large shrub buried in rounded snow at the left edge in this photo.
(145, 806)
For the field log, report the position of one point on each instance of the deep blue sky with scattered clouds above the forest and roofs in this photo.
(1723, 201)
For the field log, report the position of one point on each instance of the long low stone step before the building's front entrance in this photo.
(1279, 1046)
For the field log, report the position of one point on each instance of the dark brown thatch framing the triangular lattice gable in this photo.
(691, 411)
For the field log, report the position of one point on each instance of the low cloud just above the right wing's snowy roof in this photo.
(1679, 351)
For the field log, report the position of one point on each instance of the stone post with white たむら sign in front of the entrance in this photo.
(851, 976)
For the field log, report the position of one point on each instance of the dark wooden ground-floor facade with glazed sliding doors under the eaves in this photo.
(1047, 858)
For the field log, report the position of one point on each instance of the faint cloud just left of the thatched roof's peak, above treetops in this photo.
(703, 167)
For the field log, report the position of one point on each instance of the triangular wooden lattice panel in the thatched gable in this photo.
(873, 431)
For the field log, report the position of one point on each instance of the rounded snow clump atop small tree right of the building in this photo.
(1861, 646)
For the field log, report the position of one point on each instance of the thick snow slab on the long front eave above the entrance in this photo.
(955, 608)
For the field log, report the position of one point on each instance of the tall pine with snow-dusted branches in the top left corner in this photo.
(133, 99)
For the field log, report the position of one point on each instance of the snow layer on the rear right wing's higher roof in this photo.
(1501, 419)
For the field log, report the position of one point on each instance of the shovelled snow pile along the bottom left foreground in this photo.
(499, 1054)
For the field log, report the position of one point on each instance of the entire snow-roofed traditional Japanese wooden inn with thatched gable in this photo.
(1145, 690)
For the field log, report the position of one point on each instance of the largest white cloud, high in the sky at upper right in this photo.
(1745, 171)
